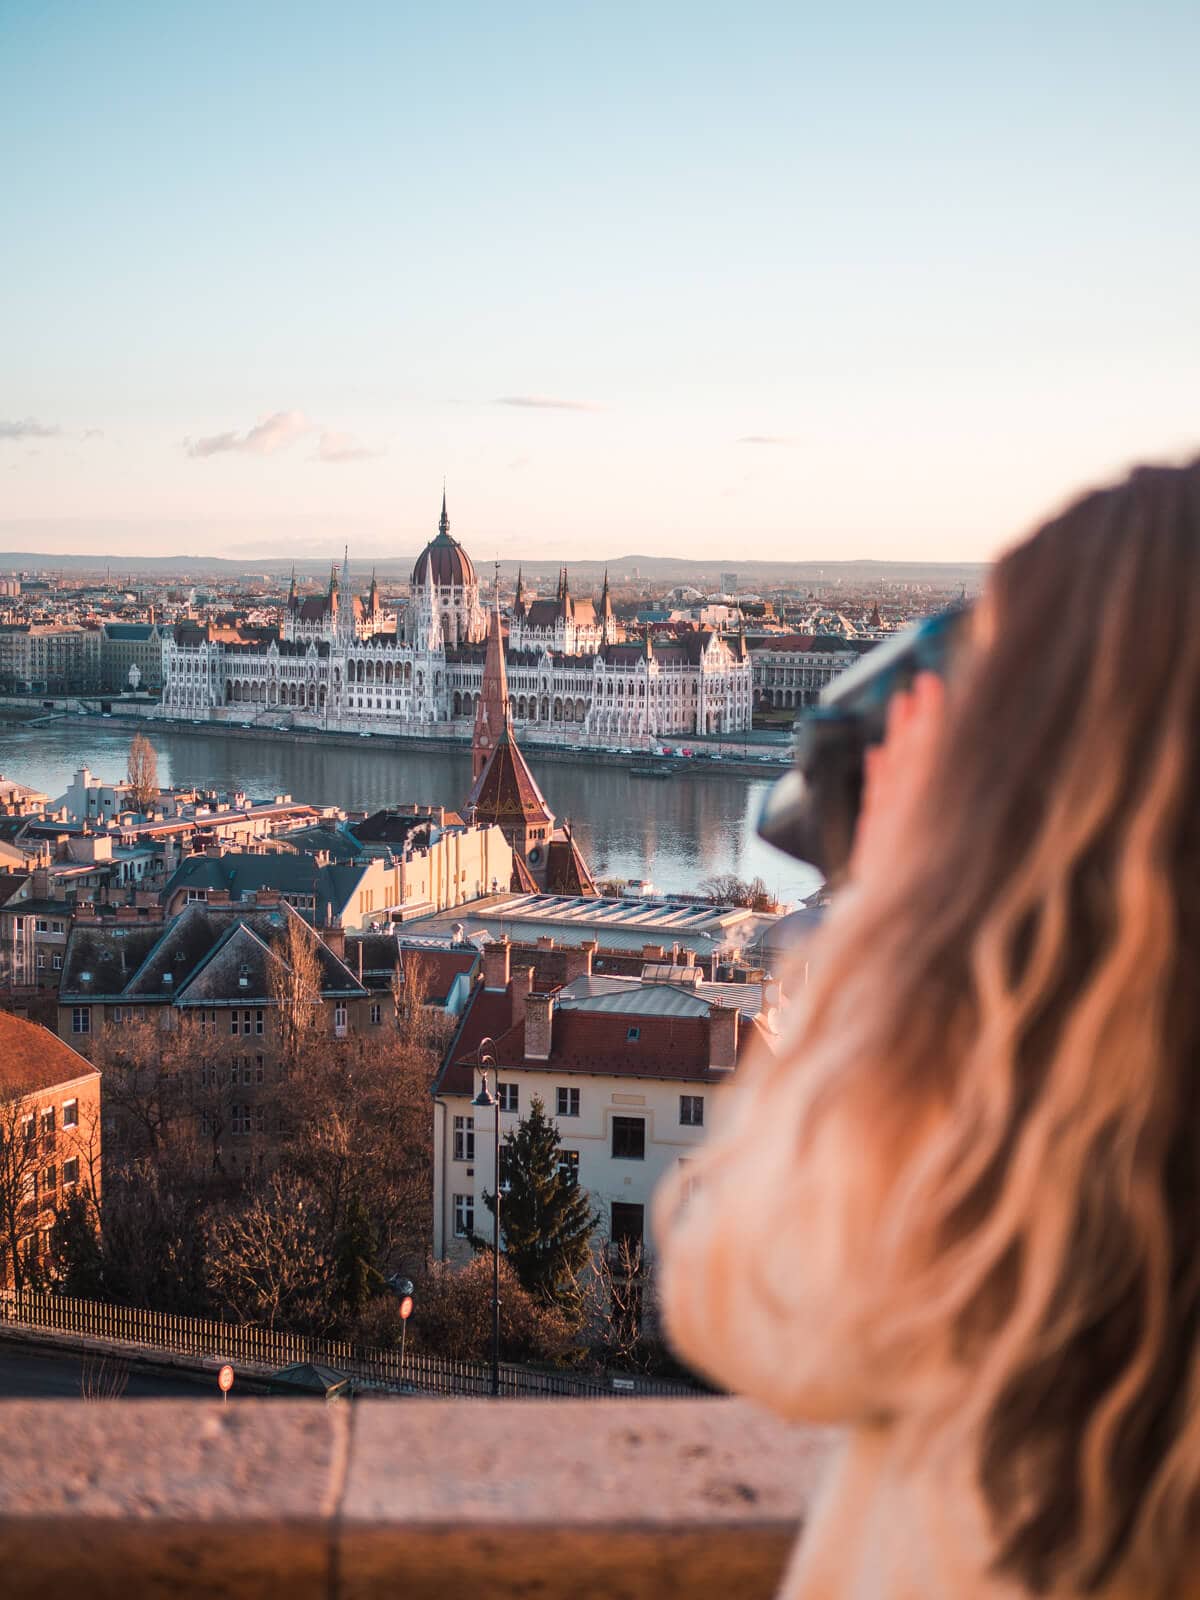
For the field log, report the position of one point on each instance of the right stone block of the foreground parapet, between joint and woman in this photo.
(574, 1498)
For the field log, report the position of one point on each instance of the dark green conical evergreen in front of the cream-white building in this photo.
(546, 1220)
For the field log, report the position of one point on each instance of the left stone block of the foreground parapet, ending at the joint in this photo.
(153, 1498)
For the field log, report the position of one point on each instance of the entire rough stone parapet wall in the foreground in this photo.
(425, 1498)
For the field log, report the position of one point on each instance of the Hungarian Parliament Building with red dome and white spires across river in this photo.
(340, 662)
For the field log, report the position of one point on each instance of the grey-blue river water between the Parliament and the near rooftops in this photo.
(674, 833)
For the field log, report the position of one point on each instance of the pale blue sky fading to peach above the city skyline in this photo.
(727, 281)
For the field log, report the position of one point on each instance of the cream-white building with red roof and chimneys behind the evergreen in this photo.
(631, 1070)
